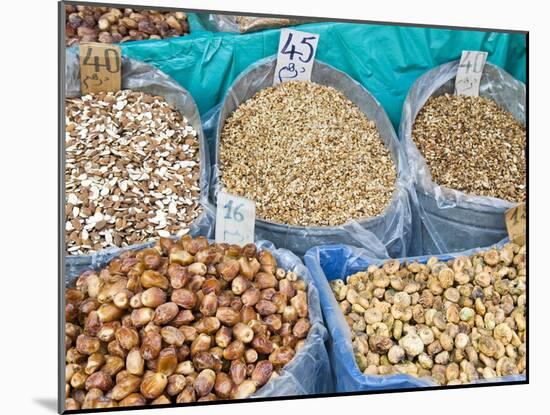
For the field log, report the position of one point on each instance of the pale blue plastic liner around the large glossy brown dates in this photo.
(309, 372)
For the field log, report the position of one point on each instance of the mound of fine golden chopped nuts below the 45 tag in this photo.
(306, 155)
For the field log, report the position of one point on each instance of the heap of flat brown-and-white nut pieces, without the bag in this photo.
(132, 170)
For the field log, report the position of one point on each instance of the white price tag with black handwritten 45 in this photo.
(295, 56)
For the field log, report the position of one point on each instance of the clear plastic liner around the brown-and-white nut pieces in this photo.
(143, 77)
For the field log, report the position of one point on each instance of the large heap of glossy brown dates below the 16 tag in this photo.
(181, 322)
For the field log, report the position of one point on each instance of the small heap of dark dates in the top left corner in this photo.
(112, 25)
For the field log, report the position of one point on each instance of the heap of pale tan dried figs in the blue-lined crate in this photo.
(456, 321)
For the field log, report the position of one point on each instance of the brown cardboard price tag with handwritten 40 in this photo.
(100, 66)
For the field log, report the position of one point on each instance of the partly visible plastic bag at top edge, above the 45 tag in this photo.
(246, 24)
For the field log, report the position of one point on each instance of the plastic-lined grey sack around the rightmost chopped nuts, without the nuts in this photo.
(453, 220)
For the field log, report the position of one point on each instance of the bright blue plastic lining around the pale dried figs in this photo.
(330, 262)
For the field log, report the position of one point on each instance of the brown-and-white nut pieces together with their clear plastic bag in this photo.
(120, 159)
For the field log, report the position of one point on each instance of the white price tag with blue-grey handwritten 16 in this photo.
(235, 219)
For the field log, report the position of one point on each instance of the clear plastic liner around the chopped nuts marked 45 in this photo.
(386, 235)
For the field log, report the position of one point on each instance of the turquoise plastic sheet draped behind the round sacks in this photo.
(386, 60)
